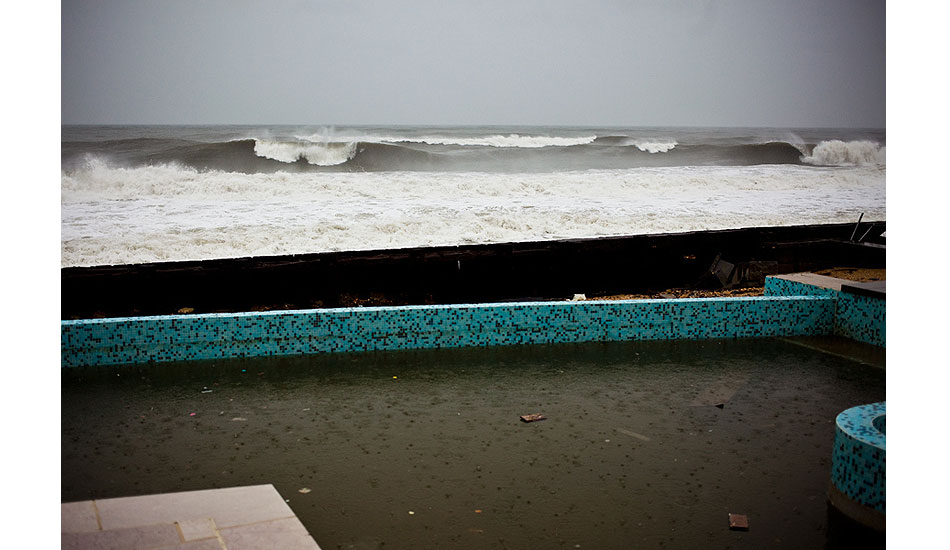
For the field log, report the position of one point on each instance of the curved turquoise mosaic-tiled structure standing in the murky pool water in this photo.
(858, 461)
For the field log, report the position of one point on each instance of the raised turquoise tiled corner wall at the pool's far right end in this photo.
(861, 318)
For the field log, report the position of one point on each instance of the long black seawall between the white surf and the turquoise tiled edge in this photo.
(459, 274)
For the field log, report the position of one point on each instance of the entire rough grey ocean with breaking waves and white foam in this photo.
(137, 194)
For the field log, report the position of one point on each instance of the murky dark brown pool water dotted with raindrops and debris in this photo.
(633, 454)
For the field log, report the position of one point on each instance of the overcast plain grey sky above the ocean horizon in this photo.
(666, 63)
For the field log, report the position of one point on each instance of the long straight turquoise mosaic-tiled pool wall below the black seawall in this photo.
(212, 336)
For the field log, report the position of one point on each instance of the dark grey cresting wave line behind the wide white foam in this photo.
(260, 155)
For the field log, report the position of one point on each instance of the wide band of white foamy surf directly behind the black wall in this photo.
(113, 215)
